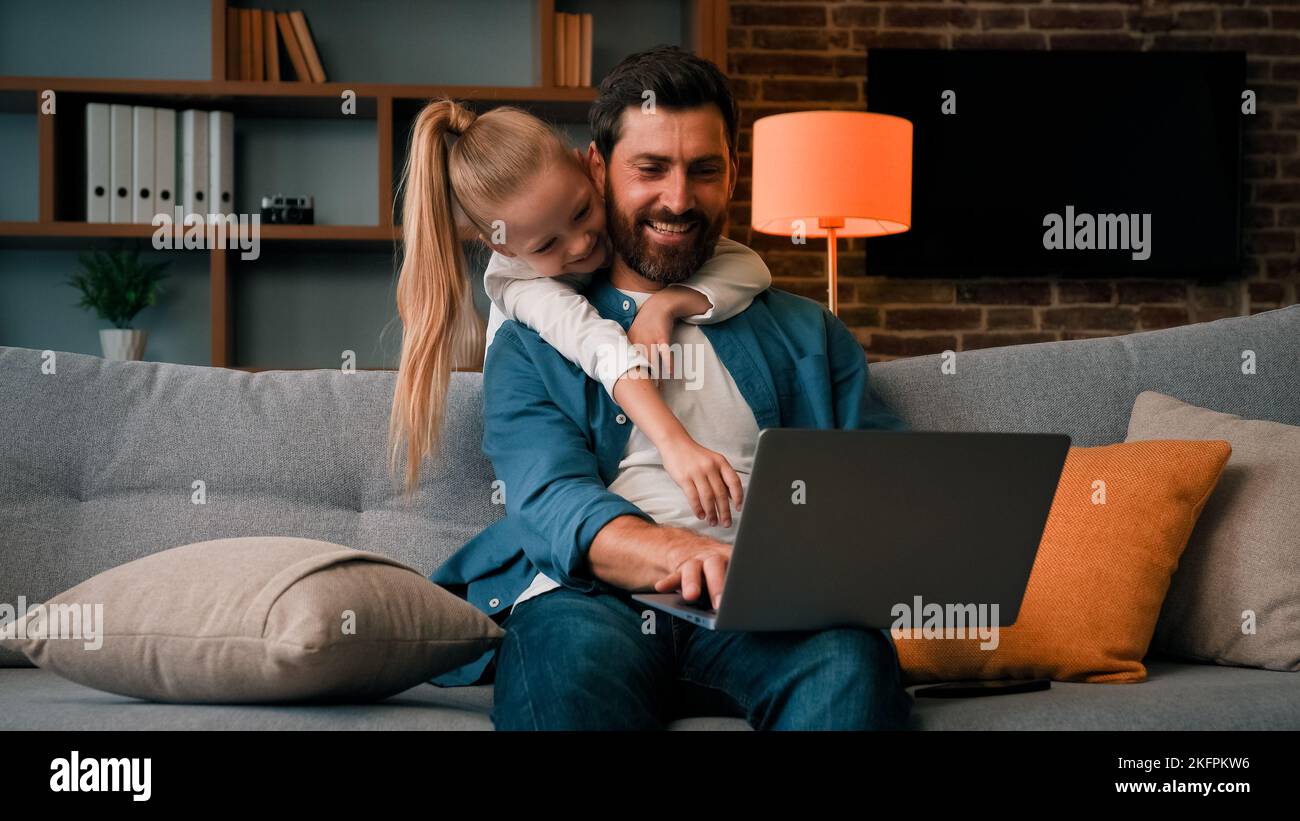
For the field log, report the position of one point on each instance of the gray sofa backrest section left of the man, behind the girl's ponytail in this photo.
(99, 464)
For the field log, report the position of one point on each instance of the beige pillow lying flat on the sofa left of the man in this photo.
(255, 620)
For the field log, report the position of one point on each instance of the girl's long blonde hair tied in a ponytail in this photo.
(447, 193)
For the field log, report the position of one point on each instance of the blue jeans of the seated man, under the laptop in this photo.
(582, 661)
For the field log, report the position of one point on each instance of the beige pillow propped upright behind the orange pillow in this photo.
(1236, 597)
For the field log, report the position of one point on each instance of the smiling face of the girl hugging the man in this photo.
(557, 224)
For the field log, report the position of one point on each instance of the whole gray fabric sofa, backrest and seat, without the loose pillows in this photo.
(99, 461)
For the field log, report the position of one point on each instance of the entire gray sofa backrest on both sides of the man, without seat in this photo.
(99, 459)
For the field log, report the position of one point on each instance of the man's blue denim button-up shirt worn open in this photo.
(556, 437)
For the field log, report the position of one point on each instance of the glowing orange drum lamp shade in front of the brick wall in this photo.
(846, 171)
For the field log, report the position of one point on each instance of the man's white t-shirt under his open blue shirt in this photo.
(713, 411)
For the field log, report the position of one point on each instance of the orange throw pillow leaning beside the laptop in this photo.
(1102, 572)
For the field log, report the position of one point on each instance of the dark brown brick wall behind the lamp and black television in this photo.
(788, 57)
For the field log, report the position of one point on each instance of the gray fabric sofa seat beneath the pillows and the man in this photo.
(1175, 697)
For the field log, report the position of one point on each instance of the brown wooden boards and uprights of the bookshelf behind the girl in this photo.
(385, 107)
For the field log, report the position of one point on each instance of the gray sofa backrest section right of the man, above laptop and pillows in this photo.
(1087, 388)
